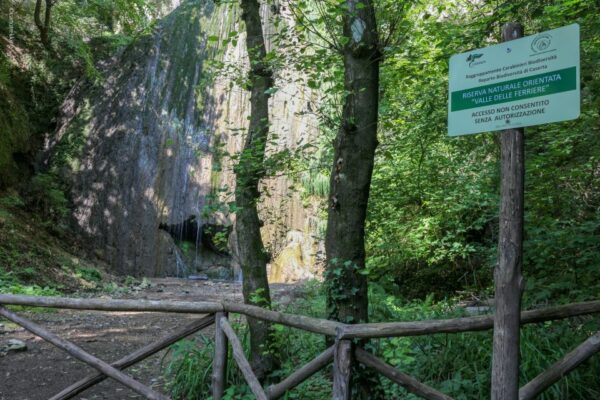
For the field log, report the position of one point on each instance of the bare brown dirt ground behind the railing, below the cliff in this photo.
(43, 370)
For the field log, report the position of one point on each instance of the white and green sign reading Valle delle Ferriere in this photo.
(524, 82)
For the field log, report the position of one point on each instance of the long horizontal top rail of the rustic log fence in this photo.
(315, 325)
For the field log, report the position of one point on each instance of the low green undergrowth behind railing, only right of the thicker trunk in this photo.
(459, 364)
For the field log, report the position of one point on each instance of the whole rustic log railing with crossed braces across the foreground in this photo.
(343, 353)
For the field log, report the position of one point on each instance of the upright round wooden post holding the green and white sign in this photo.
(507, 275)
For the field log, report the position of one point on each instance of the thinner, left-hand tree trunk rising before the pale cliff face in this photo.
(249, 171)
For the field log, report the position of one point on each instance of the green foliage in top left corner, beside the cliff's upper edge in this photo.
(35, 80)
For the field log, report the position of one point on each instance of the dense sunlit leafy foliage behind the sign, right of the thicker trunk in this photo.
(432, 223)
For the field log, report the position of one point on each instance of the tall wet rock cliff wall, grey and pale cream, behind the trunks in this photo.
(145, 151)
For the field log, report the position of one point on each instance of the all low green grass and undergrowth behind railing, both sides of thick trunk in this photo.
(456, 364)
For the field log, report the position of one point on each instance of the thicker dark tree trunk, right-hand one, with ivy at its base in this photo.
(350, 179)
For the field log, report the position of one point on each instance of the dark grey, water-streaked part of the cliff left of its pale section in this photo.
(137, 144)
